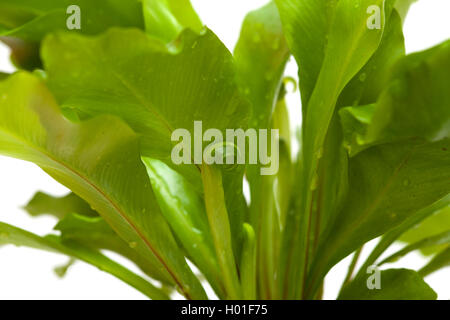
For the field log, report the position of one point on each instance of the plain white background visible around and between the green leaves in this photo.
(28, 274)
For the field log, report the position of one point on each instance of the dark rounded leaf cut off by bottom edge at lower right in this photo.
(396, 284)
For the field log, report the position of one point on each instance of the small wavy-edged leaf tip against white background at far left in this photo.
(59, 207)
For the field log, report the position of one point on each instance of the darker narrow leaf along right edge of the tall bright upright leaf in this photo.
(365, 87)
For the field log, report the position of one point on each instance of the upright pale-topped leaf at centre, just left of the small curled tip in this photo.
(261, 55)
